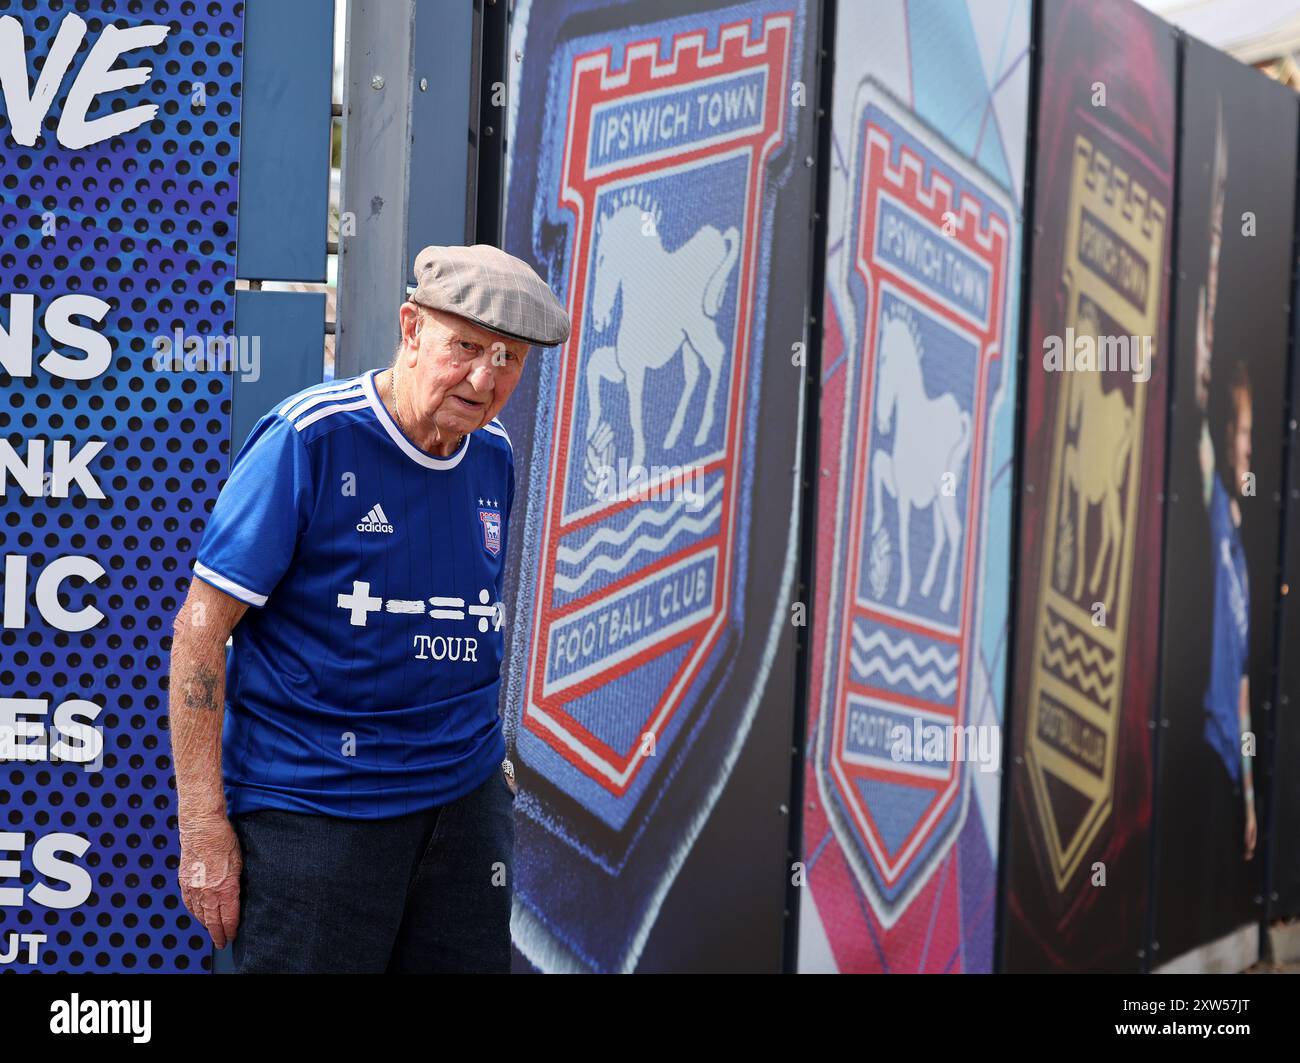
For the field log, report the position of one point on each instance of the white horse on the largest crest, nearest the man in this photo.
(670, 301)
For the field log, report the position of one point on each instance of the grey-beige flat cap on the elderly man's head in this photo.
(492, 289)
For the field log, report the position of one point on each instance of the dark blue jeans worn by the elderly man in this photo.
(427, 893)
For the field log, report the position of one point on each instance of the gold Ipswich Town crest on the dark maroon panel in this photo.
(1113, 277)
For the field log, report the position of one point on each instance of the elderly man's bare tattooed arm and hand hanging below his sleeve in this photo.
(210, 851)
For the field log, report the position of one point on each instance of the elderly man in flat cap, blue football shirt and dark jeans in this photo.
(357, 812)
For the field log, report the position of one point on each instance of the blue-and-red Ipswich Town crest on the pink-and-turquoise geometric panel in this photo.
(926, 268)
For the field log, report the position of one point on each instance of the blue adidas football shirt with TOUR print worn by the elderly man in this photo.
(365, 682)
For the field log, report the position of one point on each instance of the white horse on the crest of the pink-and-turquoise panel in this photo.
(930, 442)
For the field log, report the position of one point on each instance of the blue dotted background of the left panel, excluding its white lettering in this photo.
(148, 223)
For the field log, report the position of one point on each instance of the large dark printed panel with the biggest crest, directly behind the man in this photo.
(657, 180)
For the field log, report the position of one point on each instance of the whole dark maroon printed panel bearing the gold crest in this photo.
(1089, 600)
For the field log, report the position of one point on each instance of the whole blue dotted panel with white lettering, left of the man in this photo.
(118, 205)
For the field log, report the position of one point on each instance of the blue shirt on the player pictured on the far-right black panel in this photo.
(1232, 649)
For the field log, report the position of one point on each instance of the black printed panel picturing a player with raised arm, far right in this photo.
(1237, 188)
